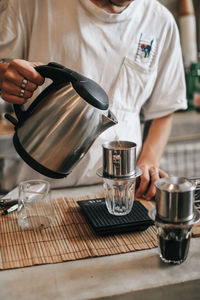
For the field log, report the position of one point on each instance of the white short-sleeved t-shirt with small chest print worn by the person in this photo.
(135, 56)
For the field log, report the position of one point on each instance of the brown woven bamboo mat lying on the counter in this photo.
(68, 238)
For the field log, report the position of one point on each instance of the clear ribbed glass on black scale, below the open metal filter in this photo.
(119, 195)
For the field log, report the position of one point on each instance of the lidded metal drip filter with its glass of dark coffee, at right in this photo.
(174, 216)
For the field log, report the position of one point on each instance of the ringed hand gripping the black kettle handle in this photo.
(19, 80)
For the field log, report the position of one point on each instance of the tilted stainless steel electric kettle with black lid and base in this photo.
(61, 124)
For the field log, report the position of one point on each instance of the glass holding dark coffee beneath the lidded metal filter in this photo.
(173, 242)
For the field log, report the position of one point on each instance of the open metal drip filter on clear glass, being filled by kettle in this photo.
(119, 174)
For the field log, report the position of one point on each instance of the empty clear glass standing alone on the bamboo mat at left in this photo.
(34, 205)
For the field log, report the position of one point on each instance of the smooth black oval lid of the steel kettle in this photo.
(91, 92)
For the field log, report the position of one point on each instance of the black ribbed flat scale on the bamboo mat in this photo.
(102, 222)
